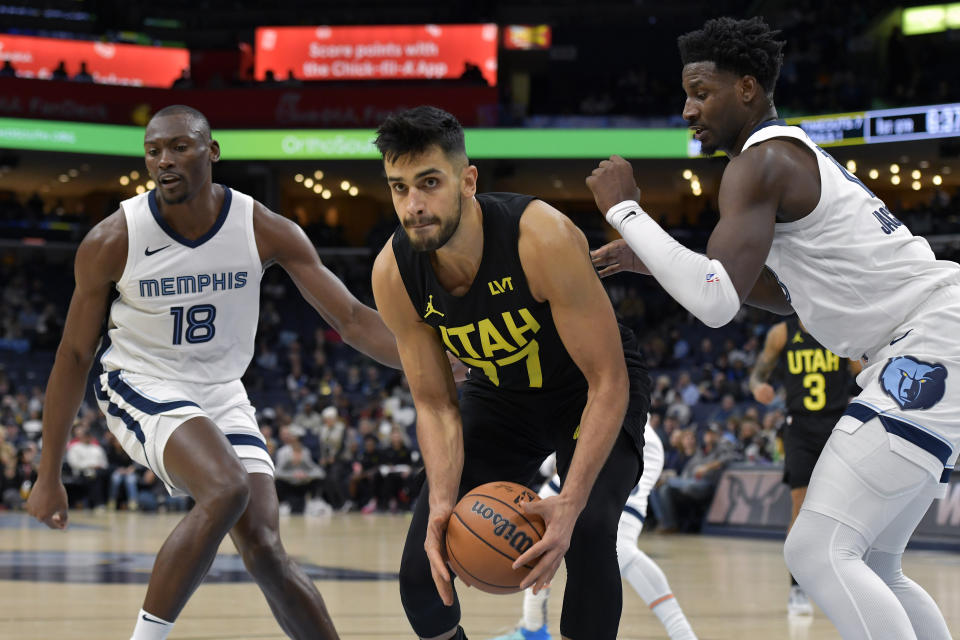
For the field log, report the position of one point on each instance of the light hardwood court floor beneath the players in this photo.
(89, 583)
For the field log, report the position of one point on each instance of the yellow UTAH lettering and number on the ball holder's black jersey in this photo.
(480, 344)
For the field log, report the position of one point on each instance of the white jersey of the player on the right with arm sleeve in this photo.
(852, 271)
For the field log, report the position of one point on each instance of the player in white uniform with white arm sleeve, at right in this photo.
(798, 232)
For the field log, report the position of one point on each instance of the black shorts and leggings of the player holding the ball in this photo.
(506, 436)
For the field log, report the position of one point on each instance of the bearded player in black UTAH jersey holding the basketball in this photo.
(504, 282)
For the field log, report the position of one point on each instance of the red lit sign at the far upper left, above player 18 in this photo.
(108, 62)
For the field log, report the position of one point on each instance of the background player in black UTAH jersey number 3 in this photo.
(818, 389)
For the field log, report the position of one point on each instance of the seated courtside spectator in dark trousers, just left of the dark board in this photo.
(683, 500)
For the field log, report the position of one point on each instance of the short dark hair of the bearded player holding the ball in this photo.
(413, 131)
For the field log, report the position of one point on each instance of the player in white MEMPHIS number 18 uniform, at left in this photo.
(186, 260)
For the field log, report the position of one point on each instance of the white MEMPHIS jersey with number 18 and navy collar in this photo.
(187, 309)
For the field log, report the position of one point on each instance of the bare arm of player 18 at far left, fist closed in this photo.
(99, 263)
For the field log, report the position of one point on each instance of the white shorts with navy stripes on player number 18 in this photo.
(143, 411)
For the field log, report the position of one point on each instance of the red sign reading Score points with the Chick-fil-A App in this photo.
(406, 52)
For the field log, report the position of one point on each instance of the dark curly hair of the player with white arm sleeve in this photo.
(745, 47)
